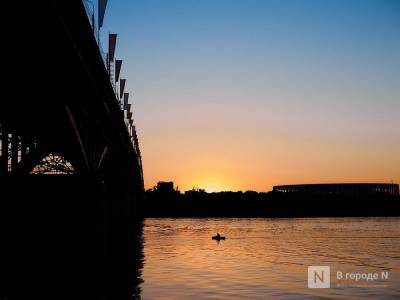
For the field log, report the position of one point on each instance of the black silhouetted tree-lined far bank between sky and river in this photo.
(198, 203)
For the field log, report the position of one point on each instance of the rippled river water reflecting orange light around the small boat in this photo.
(269, 258)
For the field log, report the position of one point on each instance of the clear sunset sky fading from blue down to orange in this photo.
(247, 94)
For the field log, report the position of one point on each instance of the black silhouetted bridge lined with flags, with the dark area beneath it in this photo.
(70, 163)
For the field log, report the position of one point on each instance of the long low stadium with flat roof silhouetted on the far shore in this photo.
(340, 188)
